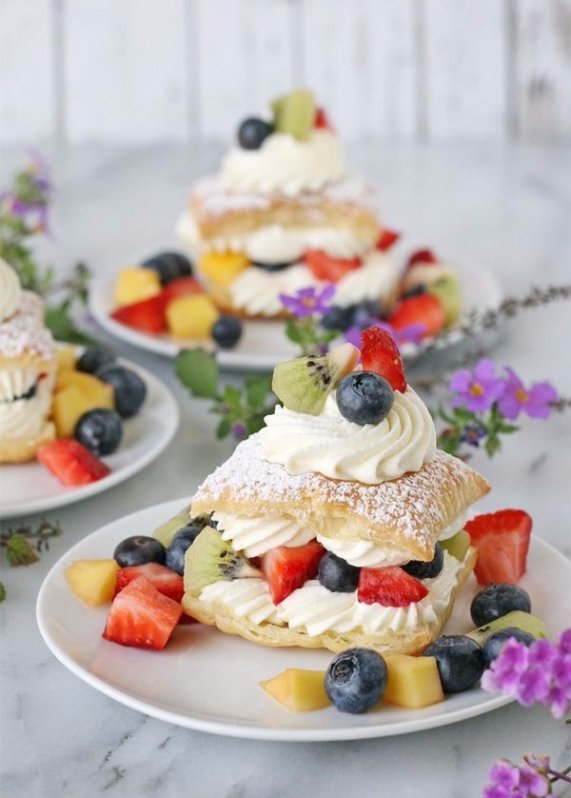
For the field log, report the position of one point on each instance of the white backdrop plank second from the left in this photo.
(125, 70)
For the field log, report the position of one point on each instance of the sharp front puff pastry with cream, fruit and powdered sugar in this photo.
(339, 524)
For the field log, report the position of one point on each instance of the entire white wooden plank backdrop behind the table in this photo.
(138, 71)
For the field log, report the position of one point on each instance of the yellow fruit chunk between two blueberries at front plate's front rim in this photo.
(412, 682)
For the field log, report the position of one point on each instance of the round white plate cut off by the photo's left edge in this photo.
(28, 488)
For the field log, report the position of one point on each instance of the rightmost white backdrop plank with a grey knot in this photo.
(543, 69)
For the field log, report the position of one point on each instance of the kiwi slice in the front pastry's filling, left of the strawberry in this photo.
(211, 559)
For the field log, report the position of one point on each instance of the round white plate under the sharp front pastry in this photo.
(208, 681)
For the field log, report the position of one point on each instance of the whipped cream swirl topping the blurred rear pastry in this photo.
(285, 165)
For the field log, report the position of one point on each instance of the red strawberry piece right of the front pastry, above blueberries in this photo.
(502, 540)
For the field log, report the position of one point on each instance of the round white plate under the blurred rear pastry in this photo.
(263, 343)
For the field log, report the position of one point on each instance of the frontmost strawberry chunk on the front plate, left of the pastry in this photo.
(141, 616)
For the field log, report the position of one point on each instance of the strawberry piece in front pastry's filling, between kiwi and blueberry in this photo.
(289, 567)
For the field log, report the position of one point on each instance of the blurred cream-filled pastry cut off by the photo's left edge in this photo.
(27, 371)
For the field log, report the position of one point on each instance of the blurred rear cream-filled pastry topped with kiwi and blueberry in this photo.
(285, 213)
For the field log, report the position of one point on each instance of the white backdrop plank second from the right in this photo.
(465, 69)
